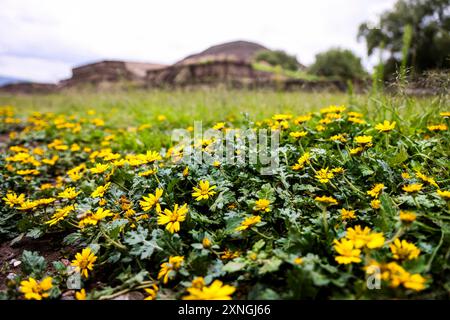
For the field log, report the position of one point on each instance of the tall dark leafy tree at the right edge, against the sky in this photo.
(429, 21)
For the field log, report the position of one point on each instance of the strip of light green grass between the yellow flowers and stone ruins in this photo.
(182, 108)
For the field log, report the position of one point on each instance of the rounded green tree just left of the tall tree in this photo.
(338, 63)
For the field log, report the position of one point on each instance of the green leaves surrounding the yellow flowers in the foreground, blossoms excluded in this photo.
(290, 254)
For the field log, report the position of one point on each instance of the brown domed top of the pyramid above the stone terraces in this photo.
(243, 51)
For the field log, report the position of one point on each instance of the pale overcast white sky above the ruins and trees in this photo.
(41, 40)
